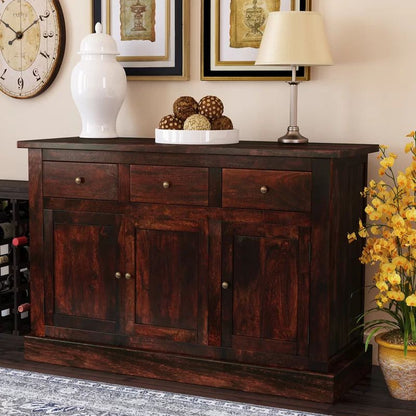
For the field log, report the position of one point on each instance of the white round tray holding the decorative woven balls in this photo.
(196, 136)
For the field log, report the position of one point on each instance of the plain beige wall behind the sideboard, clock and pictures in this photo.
(367, 97)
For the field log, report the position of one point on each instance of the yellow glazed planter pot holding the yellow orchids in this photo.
(399, 370)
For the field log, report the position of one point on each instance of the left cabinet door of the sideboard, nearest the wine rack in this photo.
(82, 257)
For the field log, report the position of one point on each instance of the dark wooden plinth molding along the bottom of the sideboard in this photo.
(304, 385)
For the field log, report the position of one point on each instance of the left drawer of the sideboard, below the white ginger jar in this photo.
(80, 180)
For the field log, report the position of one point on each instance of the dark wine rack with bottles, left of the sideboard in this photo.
(14, 258)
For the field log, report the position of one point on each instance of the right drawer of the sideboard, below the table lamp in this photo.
(266, 189)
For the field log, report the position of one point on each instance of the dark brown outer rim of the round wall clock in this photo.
(59, 56)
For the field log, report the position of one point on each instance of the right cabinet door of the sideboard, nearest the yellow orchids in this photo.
(265, 288)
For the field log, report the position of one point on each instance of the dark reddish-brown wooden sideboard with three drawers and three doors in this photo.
(224, 266)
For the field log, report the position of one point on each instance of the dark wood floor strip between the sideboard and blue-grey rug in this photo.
(368, 398)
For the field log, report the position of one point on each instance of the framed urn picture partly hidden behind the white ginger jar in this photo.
(152, 36)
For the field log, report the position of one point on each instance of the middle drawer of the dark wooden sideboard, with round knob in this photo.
(169, 185)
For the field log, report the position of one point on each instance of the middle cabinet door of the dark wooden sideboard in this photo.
(165, 301)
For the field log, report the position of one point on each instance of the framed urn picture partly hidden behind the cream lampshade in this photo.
(230, 37)
